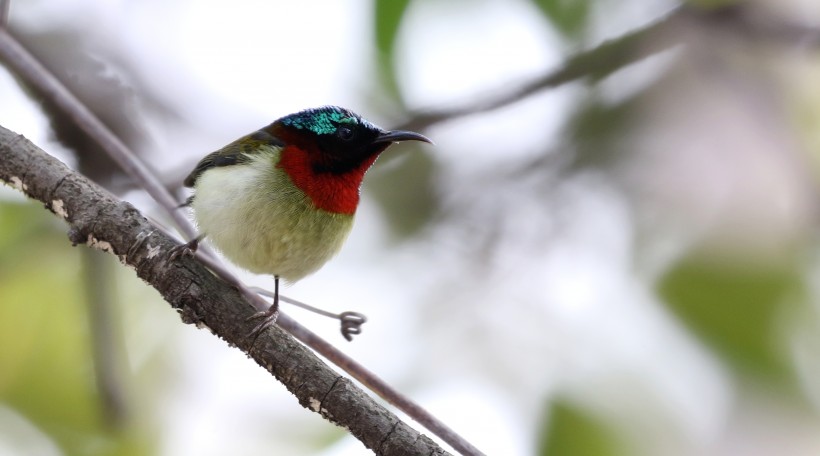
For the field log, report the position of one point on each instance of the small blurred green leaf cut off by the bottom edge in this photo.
(573, 431)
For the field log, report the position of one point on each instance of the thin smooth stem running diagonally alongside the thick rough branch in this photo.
(24, 65)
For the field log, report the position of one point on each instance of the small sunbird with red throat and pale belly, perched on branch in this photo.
(281, 201)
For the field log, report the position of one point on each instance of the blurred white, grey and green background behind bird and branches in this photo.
(626, 264)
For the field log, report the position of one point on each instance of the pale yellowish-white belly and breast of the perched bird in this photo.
(261, 222)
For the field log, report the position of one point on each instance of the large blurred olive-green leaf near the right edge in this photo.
(737, 309)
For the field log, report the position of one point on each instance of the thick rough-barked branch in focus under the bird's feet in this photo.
(99, 220)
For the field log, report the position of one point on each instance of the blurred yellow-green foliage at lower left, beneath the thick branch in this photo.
(46, 373)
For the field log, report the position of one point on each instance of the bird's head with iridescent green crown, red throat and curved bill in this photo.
(326, 152)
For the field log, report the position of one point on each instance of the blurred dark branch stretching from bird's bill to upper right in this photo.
(610, 56)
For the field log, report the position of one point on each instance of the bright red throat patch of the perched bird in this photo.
(337, 193)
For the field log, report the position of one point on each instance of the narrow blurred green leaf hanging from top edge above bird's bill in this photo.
(387, 19)
